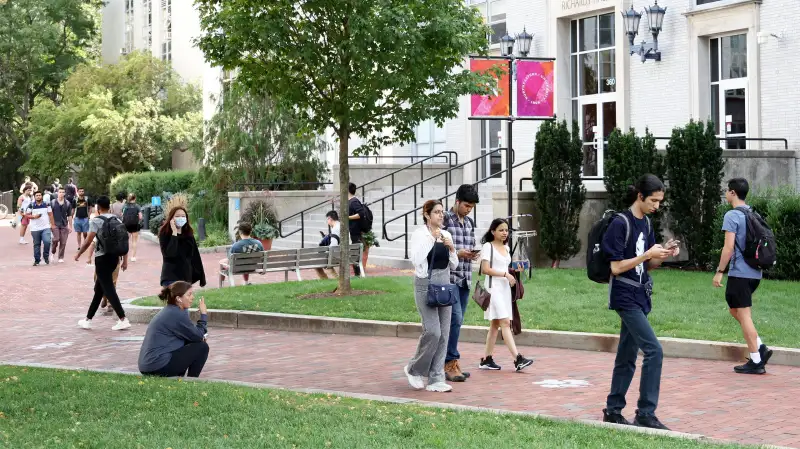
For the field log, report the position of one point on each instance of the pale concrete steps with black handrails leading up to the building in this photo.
(389, 253)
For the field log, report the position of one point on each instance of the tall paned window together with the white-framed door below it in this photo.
(593, 85)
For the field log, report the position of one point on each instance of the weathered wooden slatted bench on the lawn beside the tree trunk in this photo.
(286, 260)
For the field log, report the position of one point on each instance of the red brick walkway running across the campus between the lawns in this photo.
(39, 308)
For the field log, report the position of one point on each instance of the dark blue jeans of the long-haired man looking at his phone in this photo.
(636, 333)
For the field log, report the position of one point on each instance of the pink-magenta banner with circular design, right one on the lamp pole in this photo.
(534, 88)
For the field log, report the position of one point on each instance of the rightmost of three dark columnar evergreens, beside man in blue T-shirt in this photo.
(694, 170)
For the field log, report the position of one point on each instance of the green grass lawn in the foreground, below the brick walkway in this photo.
(69, 409)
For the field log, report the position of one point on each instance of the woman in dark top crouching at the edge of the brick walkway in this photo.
(173, 345)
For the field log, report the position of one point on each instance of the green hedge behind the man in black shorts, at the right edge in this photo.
(781, 208)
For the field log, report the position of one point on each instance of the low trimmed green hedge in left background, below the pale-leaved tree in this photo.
(149, 184)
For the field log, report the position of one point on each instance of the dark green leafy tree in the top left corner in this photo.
(41, 41)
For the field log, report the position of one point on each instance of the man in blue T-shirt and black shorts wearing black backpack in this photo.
(749, 247)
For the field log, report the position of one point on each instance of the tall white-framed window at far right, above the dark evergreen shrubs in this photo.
(728, 69)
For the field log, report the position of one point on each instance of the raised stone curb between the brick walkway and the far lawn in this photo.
(673, 347)
